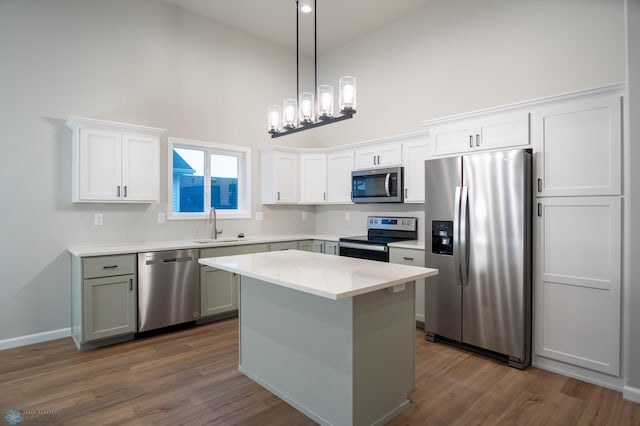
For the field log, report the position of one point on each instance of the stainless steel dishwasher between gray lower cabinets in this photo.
(168, 288)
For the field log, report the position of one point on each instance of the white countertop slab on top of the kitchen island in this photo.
(333, 277)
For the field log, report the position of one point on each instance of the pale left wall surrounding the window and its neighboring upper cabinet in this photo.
(136, 61)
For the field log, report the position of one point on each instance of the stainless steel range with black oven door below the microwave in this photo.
(380, 232)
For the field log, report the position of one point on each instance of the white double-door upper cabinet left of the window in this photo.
(114, 162)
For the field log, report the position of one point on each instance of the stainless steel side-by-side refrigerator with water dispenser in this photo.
(478, 223)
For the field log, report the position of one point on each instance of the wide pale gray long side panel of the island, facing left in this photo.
(298, 346)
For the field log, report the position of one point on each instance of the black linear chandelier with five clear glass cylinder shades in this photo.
(308, 111)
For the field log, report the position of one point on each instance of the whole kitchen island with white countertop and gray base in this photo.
(333, 336)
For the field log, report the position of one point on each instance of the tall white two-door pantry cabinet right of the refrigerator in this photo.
(577, 228)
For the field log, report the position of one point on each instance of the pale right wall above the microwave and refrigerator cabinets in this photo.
(463, 55)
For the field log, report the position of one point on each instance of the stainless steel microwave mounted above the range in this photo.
(378, 185)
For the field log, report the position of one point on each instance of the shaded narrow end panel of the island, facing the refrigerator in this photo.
(383, 354)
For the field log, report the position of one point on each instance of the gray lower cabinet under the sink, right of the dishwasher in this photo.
(218, 288)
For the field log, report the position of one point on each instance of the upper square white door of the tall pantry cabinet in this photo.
(579, 147)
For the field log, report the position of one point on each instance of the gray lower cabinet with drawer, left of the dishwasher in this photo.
(104, 294)
